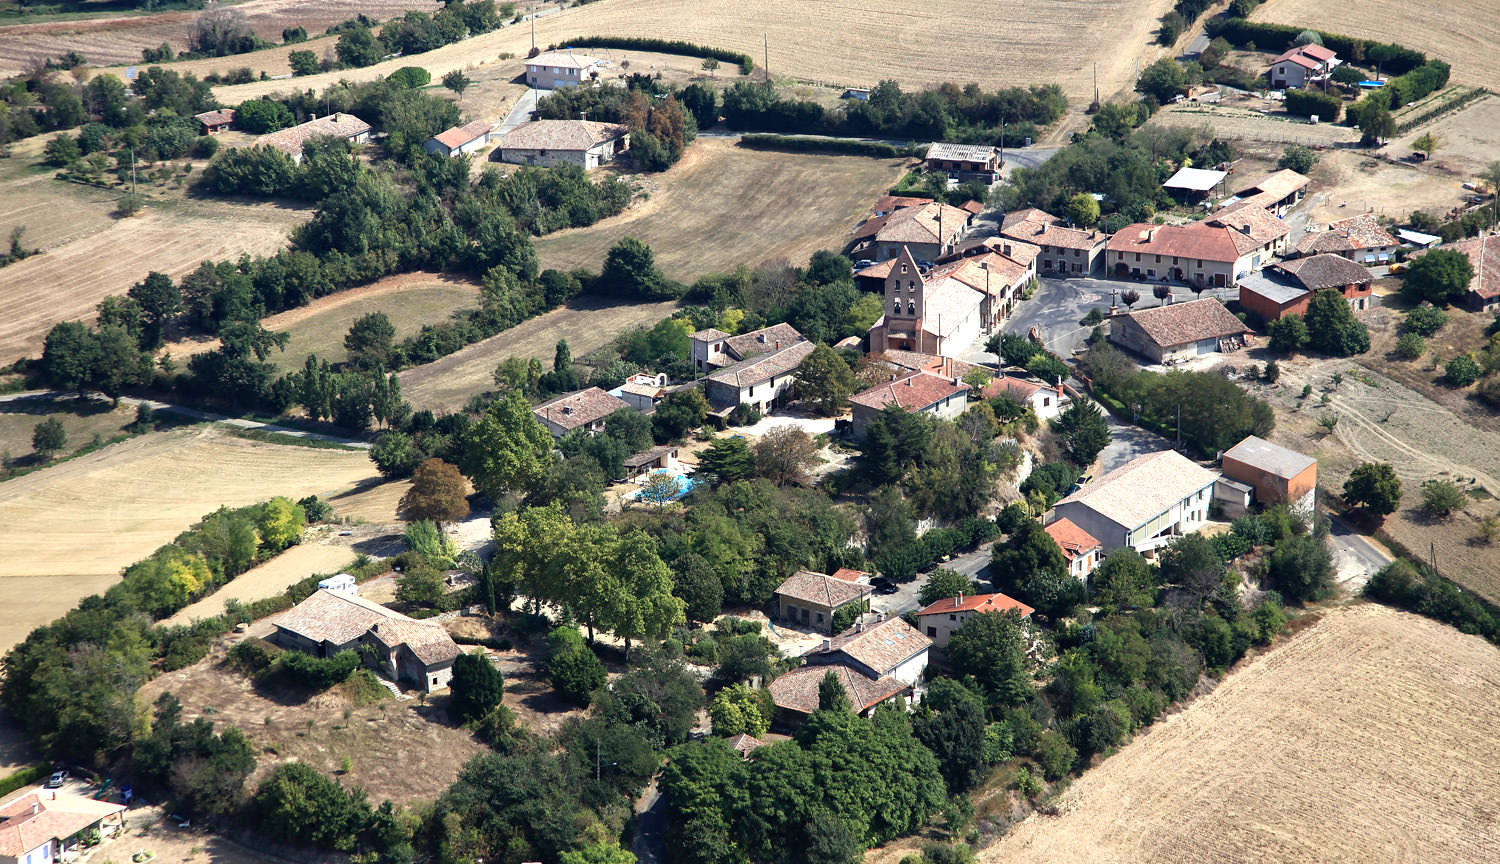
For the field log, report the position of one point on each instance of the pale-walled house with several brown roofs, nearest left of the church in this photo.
(757, 368)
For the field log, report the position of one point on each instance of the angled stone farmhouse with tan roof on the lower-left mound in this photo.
(400, 647)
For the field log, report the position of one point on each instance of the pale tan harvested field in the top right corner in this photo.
(1460, 32)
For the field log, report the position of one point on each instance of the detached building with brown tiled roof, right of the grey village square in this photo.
(1175, 334)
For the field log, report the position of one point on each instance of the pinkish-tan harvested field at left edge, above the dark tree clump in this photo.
(67, 283)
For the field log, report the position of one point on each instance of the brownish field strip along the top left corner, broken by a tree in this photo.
(122, 38)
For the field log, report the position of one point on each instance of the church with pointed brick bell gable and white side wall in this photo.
(932, 314)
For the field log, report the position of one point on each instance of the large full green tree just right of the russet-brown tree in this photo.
(508, 449)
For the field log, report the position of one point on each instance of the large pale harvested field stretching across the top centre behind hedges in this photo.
(842, 44)
